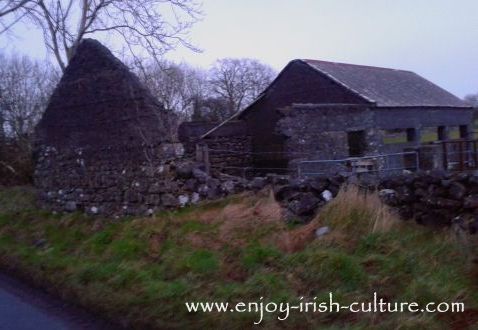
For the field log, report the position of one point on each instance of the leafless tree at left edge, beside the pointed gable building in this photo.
(25, 86)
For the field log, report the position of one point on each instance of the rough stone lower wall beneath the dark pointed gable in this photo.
(108, 180)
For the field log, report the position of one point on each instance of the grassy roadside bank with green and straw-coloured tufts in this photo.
(141, 271)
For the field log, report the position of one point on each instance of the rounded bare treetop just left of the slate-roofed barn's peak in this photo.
(239, 81)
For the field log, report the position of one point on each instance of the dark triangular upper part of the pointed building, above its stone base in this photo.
(99, 101)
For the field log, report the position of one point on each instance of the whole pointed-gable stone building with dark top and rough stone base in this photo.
(104, 143)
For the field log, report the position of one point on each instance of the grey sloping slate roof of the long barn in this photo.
(387, 87)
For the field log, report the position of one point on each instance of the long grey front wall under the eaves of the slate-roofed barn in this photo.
(318, 132)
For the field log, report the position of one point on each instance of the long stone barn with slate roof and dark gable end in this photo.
(317, 110)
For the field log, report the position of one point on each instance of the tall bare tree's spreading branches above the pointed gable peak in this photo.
(156, 26)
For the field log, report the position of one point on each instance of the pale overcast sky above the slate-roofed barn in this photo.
(437, 39)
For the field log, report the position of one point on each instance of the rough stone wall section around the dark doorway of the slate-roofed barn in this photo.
(319, 132)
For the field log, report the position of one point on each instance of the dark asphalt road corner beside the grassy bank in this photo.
(26, 308)
